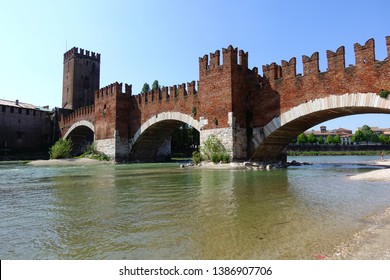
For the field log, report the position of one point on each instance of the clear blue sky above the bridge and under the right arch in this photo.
(143, 41)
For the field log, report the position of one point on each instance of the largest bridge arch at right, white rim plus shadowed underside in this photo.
(271, 140)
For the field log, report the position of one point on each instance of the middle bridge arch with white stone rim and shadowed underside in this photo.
(151, 142)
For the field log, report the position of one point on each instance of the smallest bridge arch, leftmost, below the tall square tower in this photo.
(82, 134)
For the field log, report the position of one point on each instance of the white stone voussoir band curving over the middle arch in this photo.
(166, 116)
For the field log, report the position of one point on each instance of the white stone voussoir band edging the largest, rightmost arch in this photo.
(348, 100)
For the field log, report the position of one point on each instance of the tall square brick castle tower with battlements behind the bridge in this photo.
(81, 78)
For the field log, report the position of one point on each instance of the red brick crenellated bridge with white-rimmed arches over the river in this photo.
(255, 116)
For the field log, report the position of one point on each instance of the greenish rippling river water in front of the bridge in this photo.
(161, 211)
